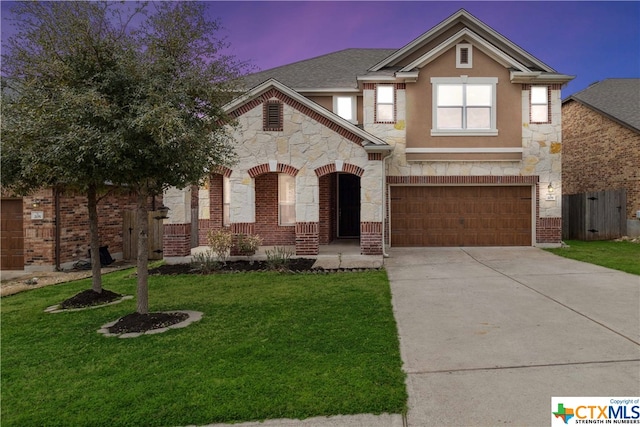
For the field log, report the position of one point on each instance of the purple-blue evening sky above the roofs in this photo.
(593, 40)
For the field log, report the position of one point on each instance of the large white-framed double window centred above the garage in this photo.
(464, 106)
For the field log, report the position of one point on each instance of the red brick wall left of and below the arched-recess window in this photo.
(266, 225)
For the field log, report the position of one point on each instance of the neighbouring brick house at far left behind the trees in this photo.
(49, 229)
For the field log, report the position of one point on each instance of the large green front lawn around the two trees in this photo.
(269, 346)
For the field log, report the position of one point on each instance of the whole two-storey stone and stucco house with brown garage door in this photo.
(452, 140)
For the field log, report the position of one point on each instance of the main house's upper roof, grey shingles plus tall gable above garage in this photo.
(345, 70)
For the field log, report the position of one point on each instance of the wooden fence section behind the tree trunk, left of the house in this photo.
(130, 235)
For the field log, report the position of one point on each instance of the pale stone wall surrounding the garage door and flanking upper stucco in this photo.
(541, 158)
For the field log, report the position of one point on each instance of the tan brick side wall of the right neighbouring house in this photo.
(599, 154)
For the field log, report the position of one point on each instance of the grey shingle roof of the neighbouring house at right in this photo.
(617, 98)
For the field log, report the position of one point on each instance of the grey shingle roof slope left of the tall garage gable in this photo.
(330, 71)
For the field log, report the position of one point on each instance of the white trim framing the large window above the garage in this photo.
(435, 81)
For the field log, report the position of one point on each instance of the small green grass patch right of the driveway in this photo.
(624, 256)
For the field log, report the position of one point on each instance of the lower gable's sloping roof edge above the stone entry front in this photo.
(369, 142)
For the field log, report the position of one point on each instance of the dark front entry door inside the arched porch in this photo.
(348, 205)
